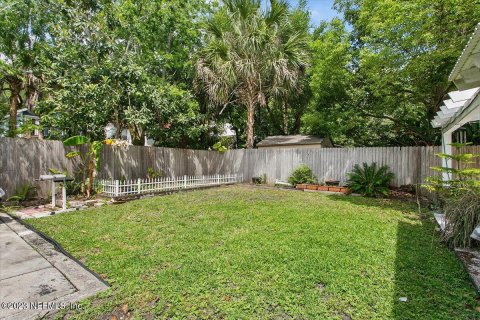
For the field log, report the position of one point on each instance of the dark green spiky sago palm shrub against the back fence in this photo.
(370, 180)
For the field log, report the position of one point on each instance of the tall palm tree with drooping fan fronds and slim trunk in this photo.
(251, 55)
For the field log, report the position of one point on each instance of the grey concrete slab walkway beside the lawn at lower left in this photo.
(35, 278)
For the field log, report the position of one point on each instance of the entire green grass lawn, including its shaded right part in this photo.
(239, 252)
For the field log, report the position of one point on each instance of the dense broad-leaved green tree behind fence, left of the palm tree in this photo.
(127, 63)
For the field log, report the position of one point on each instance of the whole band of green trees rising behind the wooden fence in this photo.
(177, 71)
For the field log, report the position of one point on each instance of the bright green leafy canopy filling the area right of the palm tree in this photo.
(389, 78)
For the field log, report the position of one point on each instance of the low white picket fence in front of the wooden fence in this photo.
(116, 188)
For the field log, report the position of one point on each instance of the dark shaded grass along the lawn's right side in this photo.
(426, 272)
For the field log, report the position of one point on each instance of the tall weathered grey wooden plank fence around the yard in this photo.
(23, 160)
